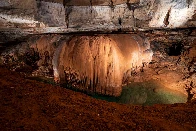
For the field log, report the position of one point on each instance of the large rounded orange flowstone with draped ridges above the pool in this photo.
(99, 63)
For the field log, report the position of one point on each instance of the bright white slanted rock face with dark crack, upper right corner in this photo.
(172, 14)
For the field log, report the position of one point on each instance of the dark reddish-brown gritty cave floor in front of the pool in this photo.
(31, 105)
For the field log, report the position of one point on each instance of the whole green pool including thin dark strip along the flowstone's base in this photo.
(137, 93)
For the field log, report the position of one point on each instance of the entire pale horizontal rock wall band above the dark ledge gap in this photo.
(123, 15)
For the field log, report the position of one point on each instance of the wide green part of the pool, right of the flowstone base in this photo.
(150, 93)
